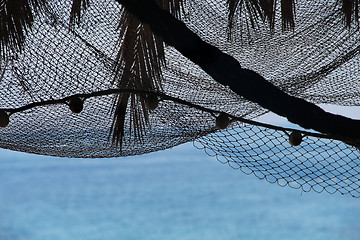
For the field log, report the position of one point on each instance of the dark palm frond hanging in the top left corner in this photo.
(16, 19)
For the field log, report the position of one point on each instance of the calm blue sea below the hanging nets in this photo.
(177, 194)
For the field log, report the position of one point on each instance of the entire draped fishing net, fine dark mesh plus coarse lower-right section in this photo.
(318, 62)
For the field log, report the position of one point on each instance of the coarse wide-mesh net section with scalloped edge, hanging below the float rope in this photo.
(316, 164)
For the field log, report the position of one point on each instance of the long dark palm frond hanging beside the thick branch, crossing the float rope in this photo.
(140, 59)
